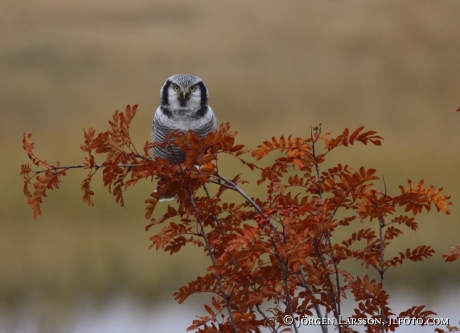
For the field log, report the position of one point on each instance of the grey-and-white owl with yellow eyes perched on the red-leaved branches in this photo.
(184, 107)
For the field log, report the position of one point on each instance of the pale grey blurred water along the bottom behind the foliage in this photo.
(123, 314)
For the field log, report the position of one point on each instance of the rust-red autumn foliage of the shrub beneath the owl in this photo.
(270, 258)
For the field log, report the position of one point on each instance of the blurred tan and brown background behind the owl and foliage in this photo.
(272, 67)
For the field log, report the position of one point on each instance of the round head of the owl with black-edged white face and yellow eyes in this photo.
(184, 92)
